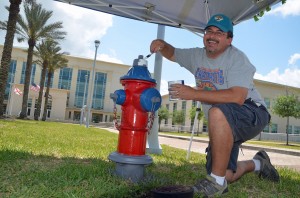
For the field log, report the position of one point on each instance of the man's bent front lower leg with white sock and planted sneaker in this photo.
(221, 140)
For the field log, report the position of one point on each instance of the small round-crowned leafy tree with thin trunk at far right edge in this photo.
(287, 106)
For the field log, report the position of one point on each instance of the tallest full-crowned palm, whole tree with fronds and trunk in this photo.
(32, 28)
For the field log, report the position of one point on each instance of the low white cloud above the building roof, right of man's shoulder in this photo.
(289, 77)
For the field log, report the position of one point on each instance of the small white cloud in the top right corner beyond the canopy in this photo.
(291, 7)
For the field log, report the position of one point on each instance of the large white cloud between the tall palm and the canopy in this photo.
(83, 27)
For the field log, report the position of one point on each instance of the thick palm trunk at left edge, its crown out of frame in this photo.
(10, 27)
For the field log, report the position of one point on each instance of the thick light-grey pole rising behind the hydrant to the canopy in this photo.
(153, 145)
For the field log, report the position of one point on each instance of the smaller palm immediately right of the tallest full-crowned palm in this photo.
(45, 53)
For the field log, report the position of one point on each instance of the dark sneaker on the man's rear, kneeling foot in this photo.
(267, 170)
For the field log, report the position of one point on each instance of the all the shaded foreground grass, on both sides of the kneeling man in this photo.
(26, 175)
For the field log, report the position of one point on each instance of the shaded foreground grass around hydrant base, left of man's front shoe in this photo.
(24, 174)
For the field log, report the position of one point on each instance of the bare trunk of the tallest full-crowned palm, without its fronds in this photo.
(23, 113)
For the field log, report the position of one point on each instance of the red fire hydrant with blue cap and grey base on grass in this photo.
(139, 100)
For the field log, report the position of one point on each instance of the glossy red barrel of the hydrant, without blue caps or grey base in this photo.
(133, 129)
